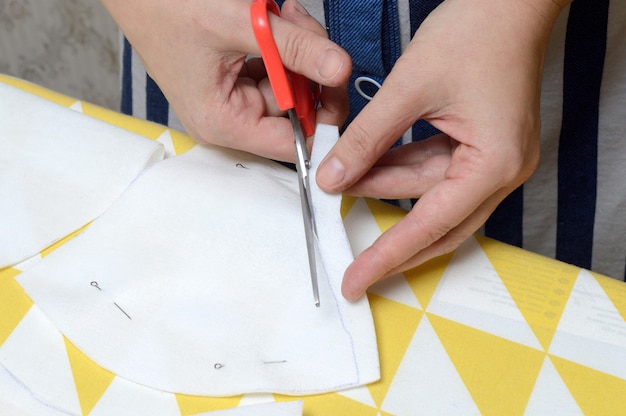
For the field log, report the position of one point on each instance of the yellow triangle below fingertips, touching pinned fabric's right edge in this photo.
(395, 325)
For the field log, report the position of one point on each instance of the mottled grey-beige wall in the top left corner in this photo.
(70, 46)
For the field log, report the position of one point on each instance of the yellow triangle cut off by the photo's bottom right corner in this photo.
(596, 393)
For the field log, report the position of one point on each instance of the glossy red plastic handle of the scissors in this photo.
(291, 90)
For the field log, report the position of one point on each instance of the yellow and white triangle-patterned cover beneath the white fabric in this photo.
(490, 329)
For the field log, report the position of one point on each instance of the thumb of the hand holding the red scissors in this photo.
(305, 49)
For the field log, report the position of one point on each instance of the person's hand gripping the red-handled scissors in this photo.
(196, 52)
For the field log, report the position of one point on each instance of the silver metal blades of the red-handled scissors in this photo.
(310, 232)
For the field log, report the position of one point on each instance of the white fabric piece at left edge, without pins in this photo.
(58, 171)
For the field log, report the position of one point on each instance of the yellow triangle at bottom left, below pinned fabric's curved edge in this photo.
(91, 380)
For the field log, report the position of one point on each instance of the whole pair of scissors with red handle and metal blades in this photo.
(293, 94)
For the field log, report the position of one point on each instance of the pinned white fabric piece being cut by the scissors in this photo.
(196, 281)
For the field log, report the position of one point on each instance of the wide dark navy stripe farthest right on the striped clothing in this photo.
(585, 48)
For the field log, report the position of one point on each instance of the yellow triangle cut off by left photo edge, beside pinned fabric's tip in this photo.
(14, 303)
